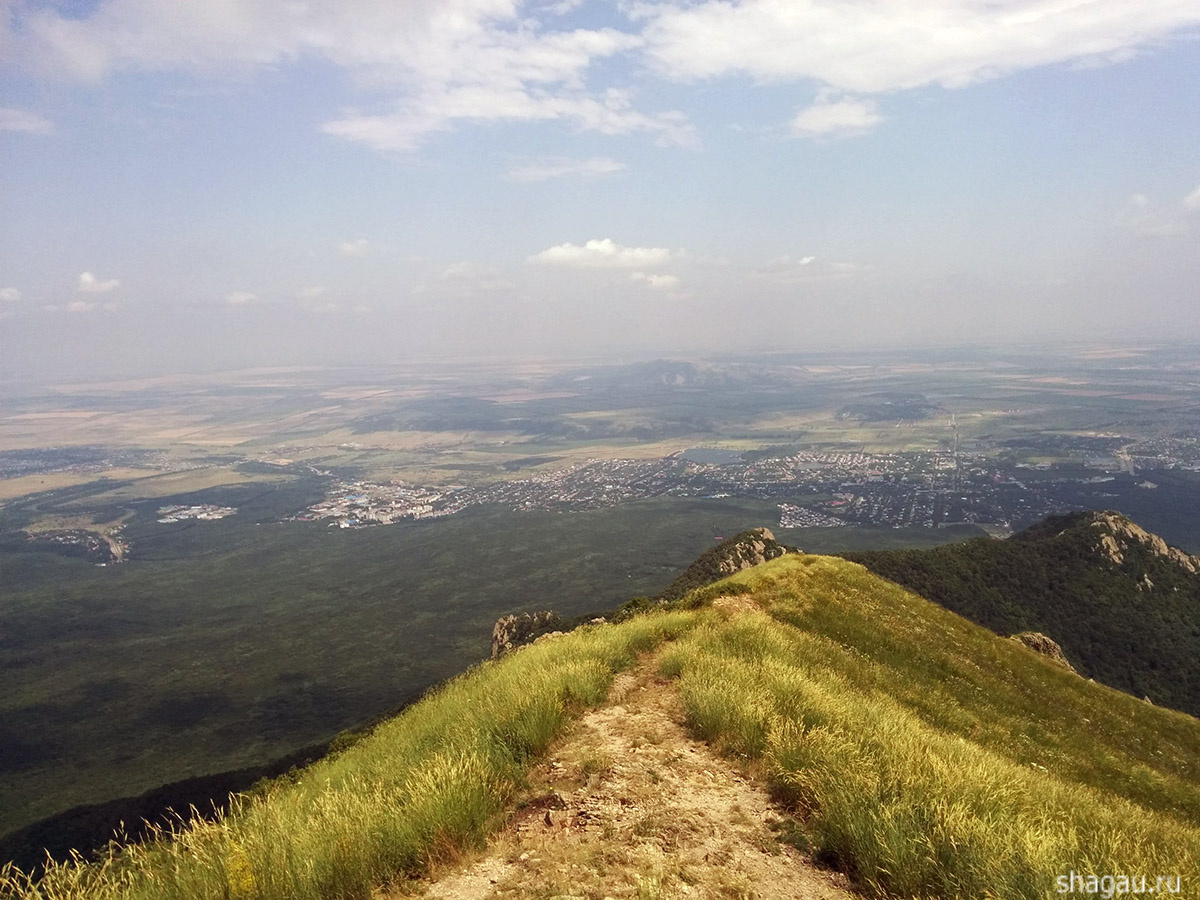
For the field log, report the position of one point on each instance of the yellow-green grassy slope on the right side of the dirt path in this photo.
(926, 757)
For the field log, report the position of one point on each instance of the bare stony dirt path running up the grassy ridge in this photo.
(629, 806)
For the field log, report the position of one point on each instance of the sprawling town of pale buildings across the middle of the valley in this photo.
(813, 488)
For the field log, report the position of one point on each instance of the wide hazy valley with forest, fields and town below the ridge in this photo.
(221, 572)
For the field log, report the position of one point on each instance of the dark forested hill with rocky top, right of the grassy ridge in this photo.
(1124, 605)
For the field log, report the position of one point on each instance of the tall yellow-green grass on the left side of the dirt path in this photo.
(419, 790)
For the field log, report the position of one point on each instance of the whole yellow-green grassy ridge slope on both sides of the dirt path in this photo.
(915, 752)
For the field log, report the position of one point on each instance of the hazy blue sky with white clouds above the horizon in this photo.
(207, 184)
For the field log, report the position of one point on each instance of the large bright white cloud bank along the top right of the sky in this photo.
(879, 47)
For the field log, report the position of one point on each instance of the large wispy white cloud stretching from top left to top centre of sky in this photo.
(478, 61)
